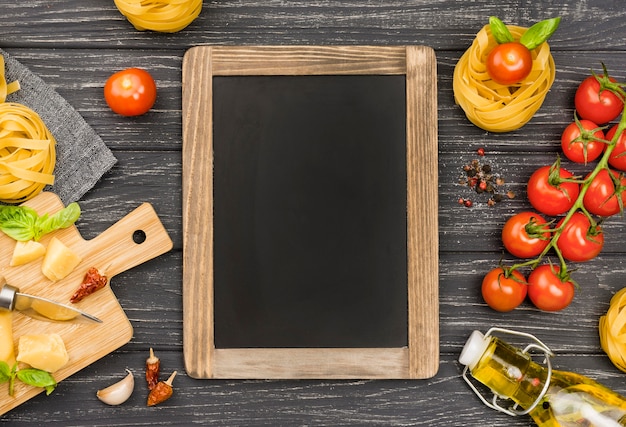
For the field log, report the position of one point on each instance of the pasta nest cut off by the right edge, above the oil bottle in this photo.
(612, 329)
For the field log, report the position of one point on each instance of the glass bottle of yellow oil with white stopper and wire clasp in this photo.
(552, 398)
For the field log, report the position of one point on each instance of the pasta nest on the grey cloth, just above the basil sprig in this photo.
(27, 153)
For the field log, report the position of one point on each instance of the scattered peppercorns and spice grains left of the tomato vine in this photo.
(479, 176)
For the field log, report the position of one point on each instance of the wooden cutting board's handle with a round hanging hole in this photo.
(134, 239)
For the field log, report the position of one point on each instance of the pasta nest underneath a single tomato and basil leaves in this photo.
(490, 105)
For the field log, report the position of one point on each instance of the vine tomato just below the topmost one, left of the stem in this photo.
(577, 147)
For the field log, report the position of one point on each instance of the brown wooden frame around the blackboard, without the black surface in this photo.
(420, 359)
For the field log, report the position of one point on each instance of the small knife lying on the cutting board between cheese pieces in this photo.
(41, 308)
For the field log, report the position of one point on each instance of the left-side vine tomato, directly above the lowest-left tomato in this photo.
(523, 235)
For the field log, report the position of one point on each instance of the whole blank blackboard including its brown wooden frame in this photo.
(310, 212)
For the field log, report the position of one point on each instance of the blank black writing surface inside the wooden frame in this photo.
(310, 211)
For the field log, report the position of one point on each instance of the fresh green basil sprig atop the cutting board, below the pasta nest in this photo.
(23, 223)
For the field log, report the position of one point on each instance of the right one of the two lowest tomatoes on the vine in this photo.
(547, 291)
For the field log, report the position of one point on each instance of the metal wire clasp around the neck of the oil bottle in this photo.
(512, 410)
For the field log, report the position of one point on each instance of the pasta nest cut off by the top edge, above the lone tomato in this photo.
(166, 16)
